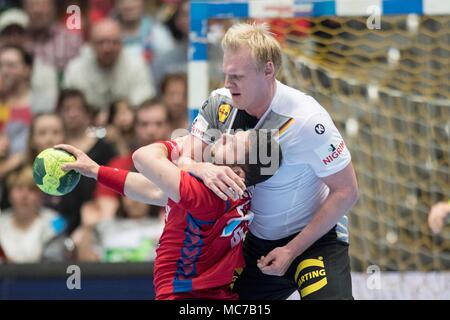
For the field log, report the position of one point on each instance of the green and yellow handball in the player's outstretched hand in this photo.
(49, 176)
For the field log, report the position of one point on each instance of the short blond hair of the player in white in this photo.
(258, 38)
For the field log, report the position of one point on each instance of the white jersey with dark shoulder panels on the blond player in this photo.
(312, 148)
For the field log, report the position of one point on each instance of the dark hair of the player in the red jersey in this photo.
(267, 163)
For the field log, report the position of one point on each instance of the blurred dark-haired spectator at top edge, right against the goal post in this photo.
(176, 60)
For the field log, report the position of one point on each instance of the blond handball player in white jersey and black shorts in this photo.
(298, 239)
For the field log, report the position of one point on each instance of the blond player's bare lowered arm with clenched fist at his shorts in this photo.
(343, 195)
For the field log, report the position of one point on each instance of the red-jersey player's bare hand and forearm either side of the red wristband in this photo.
(137, 187)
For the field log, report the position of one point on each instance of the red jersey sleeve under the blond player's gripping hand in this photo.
(198, 199)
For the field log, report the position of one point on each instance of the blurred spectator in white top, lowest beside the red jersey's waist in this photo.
(130, 237)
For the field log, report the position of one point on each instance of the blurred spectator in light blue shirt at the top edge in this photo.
(141, 33)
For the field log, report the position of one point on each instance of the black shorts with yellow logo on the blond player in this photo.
(321, 272)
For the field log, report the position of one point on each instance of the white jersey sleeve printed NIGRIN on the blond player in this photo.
(318, 143)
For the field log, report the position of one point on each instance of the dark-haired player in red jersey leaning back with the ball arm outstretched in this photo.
(201, 245)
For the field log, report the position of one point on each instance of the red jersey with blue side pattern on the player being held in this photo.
(201, 245)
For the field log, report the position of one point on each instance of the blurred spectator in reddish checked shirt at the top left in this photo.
(51, 40)
